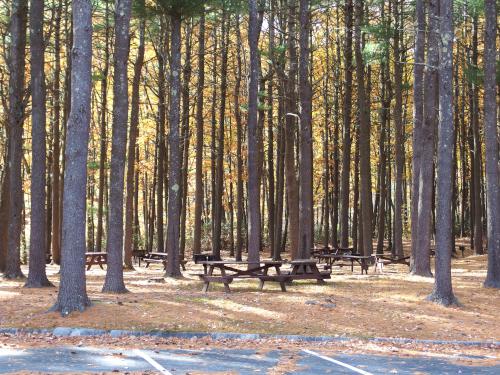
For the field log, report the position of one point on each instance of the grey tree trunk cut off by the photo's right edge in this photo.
(491, 136)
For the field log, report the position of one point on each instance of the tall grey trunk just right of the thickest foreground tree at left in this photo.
(114, 273)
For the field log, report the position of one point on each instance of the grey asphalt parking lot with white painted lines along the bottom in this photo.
(70, 359)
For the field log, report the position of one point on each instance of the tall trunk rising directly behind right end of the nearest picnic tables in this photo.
(306, 154)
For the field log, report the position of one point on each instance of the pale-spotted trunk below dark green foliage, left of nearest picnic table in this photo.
(175, 159)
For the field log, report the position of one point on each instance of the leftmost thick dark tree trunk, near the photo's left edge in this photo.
(15, 148)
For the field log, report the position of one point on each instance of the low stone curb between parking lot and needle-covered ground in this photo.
(81, 331)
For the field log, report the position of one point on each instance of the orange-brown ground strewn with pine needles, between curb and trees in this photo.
(391, 304)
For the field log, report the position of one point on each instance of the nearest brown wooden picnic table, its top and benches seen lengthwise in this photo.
(228, 272)
